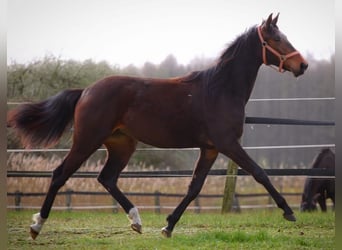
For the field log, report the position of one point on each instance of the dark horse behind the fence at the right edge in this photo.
(318, 190)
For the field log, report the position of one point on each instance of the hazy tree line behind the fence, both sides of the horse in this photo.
(45, 77)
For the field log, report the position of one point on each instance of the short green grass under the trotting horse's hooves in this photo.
(104, 230)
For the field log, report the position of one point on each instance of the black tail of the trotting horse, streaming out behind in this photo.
(43, 123)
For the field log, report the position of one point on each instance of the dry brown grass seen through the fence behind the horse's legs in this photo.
(213, 184)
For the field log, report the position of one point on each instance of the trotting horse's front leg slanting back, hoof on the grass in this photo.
(205, 161)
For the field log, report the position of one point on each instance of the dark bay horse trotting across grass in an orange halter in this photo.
(205, 109)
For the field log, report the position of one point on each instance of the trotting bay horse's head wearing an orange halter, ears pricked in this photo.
(277, 50)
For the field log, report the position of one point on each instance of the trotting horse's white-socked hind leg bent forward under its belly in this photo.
(120, 148)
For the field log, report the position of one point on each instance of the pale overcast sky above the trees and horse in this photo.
(133, 31)
